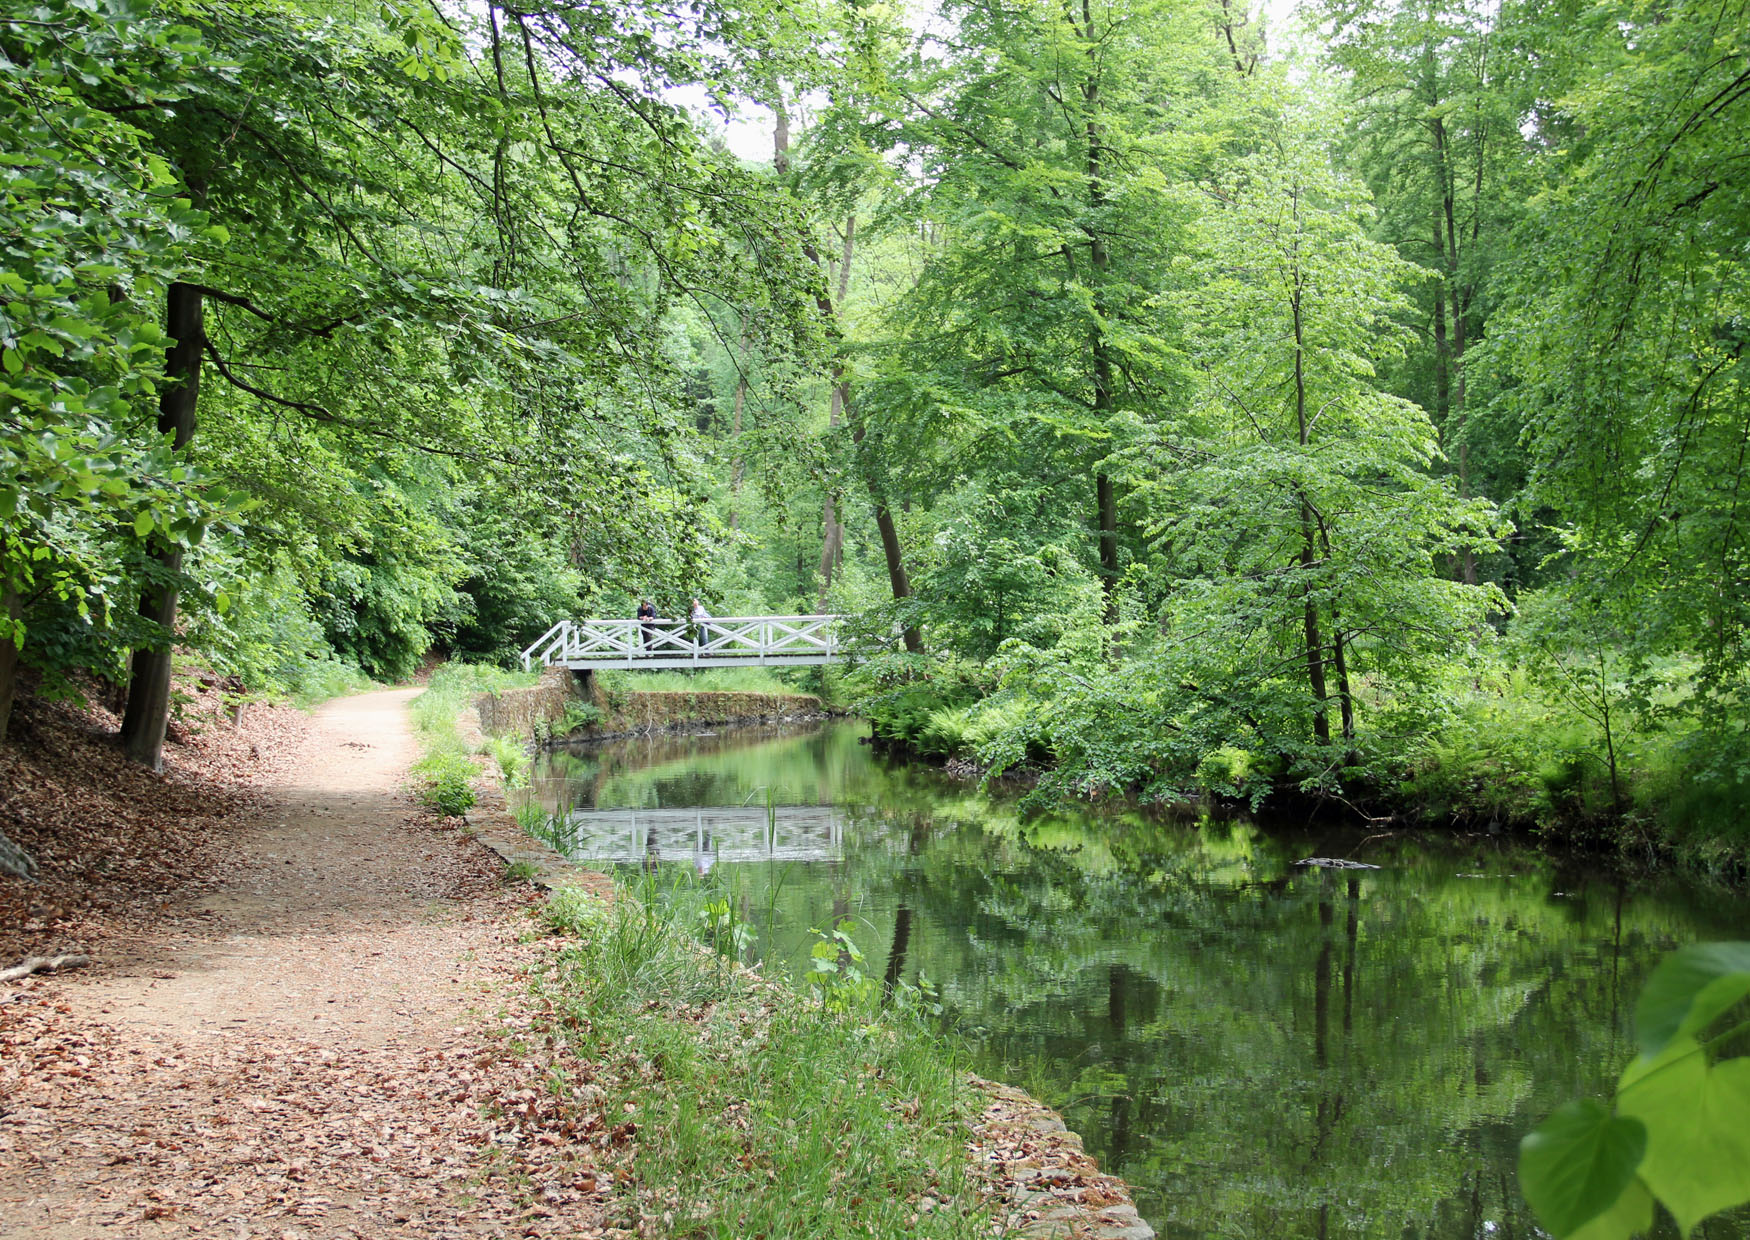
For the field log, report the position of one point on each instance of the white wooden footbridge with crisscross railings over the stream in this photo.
(720, 643)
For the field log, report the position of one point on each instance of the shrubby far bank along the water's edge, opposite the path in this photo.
(1502, 763)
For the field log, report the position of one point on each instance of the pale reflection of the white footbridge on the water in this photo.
(704, 835)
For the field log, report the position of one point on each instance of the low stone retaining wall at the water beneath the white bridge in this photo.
(519, 711)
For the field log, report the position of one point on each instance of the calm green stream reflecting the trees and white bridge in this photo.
(1259, 1050)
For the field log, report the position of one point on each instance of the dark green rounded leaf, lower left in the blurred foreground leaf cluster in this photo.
(1576, 1166)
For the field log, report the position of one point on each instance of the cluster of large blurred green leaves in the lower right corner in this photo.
(1676, 1132)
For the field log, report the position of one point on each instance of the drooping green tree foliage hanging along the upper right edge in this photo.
(1620, 354)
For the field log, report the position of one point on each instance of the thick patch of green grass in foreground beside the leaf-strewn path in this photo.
(760, 1111)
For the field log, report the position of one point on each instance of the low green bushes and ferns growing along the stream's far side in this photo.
(1648, 781)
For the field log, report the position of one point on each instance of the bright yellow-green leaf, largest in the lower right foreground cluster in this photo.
(1698, 1138)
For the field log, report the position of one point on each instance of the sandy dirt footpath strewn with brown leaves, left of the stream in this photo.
(325, 1047)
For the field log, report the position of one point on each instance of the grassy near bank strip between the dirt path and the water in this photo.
(844, 1115)
